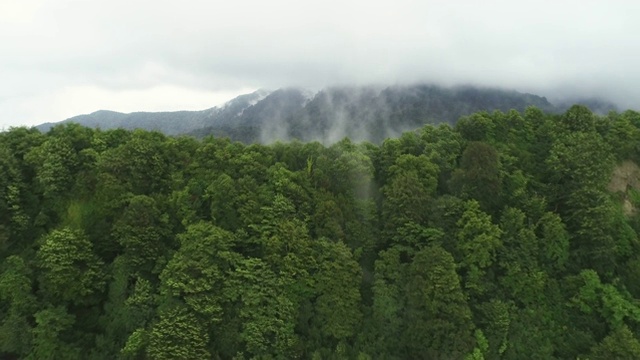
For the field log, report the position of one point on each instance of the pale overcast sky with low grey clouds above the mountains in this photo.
(60, 58)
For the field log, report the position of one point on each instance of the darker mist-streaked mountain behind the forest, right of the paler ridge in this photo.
(363, 113)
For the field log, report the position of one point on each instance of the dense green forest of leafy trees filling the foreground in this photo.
(509, 235)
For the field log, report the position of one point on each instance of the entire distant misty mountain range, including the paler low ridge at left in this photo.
(360, 113)
